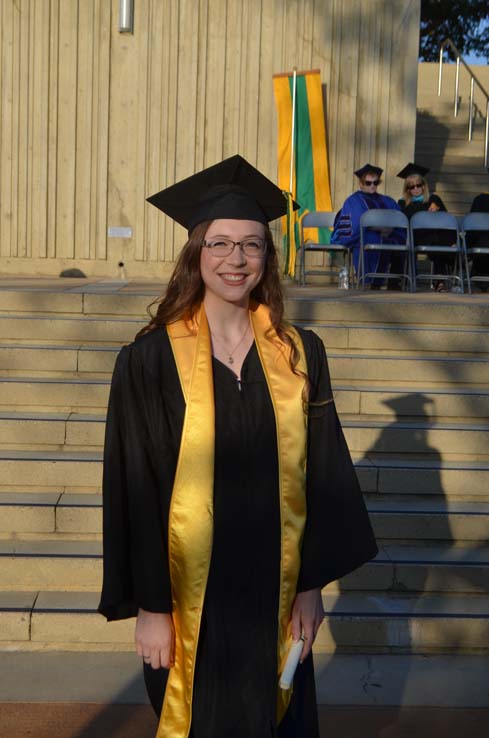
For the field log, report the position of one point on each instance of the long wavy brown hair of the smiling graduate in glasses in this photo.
(185, 291)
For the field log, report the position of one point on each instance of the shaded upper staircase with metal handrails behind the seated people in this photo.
(457, 165)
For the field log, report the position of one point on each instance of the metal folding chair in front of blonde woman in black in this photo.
(437, 222)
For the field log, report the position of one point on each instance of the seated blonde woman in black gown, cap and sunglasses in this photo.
(415, 198)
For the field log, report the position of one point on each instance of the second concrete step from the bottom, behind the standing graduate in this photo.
(73, 565)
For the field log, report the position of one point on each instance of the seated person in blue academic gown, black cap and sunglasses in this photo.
(347, 223)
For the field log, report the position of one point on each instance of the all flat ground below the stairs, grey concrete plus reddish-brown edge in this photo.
(67, 695)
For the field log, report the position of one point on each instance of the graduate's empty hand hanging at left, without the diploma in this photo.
(155, 638)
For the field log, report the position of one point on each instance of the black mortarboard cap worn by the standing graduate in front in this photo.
(231, 189)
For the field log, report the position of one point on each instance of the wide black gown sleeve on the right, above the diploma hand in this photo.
(338, 537)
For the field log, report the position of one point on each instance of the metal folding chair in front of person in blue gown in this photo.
(378, 219)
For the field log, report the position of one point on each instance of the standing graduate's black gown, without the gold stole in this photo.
(235, 679)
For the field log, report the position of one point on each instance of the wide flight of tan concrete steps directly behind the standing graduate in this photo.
(410, 376)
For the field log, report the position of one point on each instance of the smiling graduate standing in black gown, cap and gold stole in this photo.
(230, 498)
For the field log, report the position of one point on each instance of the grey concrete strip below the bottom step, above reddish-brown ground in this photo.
(376, 680)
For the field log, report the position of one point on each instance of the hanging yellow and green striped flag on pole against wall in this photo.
(302, 154)
